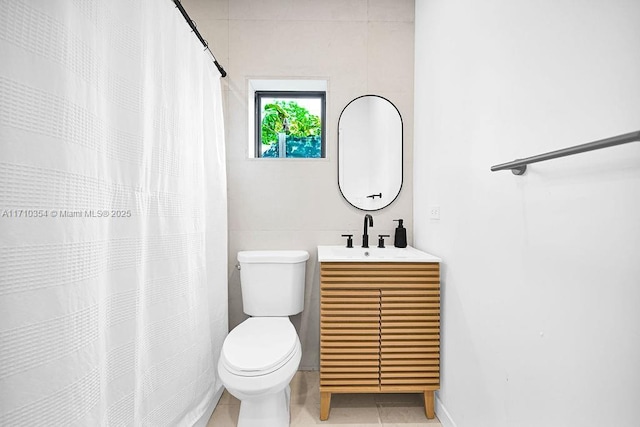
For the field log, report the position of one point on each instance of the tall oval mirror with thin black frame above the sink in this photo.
(370, 152)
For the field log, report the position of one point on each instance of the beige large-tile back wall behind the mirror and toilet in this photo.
(361, 47)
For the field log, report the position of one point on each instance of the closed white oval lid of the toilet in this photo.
(259, 345)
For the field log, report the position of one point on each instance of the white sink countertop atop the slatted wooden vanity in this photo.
(374, 254)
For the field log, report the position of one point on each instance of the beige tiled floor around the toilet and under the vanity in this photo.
(362, 410)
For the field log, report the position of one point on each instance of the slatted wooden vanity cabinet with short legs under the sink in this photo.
(379, 330)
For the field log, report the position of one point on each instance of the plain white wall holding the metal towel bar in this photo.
(541, 278)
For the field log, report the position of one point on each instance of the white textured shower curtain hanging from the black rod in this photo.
(113, 294)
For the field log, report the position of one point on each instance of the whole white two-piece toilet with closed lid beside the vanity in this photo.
(260, 356)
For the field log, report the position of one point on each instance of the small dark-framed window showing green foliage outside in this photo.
(289, 124)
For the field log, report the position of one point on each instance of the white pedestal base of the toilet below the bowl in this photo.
(271, 410)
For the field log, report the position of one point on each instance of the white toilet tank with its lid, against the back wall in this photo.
(272, 282)
